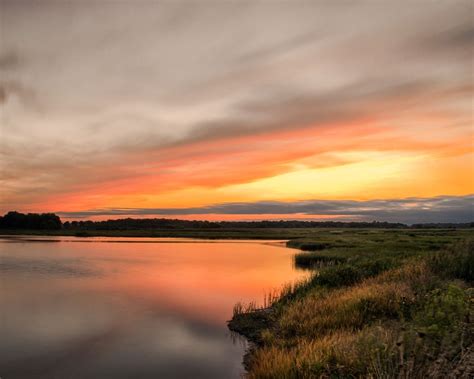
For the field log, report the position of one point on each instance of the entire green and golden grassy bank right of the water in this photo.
(382, 304)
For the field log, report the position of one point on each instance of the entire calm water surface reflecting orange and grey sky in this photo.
(129, 307)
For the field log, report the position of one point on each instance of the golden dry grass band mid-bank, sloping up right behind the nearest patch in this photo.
(324, 311)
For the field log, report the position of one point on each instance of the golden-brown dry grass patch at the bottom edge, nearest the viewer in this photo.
(338, 354)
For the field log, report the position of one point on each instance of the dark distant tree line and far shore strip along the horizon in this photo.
(303, 234)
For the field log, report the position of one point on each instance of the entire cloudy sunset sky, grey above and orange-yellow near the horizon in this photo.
(238, 110)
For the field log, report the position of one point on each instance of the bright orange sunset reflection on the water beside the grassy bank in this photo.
(200, 279)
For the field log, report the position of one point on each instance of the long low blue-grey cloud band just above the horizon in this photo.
(409, 210)
